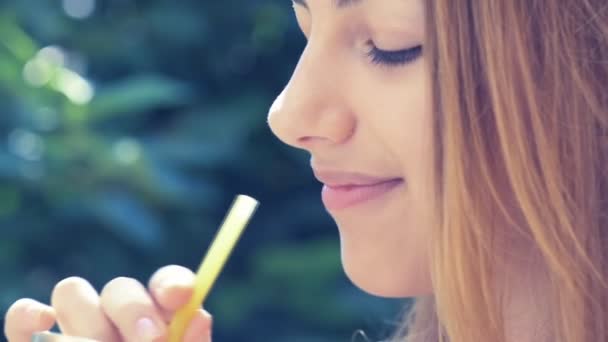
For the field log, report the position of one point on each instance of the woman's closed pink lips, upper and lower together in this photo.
(342, 190)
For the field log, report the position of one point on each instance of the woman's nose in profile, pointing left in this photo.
(312, 111)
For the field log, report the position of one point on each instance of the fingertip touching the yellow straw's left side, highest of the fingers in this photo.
(171, 287)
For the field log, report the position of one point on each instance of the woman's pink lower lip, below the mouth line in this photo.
(341, 197)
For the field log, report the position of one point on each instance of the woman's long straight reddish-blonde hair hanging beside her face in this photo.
(520, 91)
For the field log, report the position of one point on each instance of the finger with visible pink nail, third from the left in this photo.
(132, 310)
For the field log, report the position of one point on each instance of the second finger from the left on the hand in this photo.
(79, 311)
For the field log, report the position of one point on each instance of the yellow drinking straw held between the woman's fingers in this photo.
(237, 218)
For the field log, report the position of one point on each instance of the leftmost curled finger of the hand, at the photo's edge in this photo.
(25, 317)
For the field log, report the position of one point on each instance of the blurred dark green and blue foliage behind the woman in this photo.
(128, 126)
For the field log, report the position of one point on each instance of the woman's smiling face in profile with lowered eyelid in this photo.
(359, 102)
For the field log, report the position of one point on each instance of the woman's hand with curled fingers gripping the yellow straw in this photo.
(124, 311)
